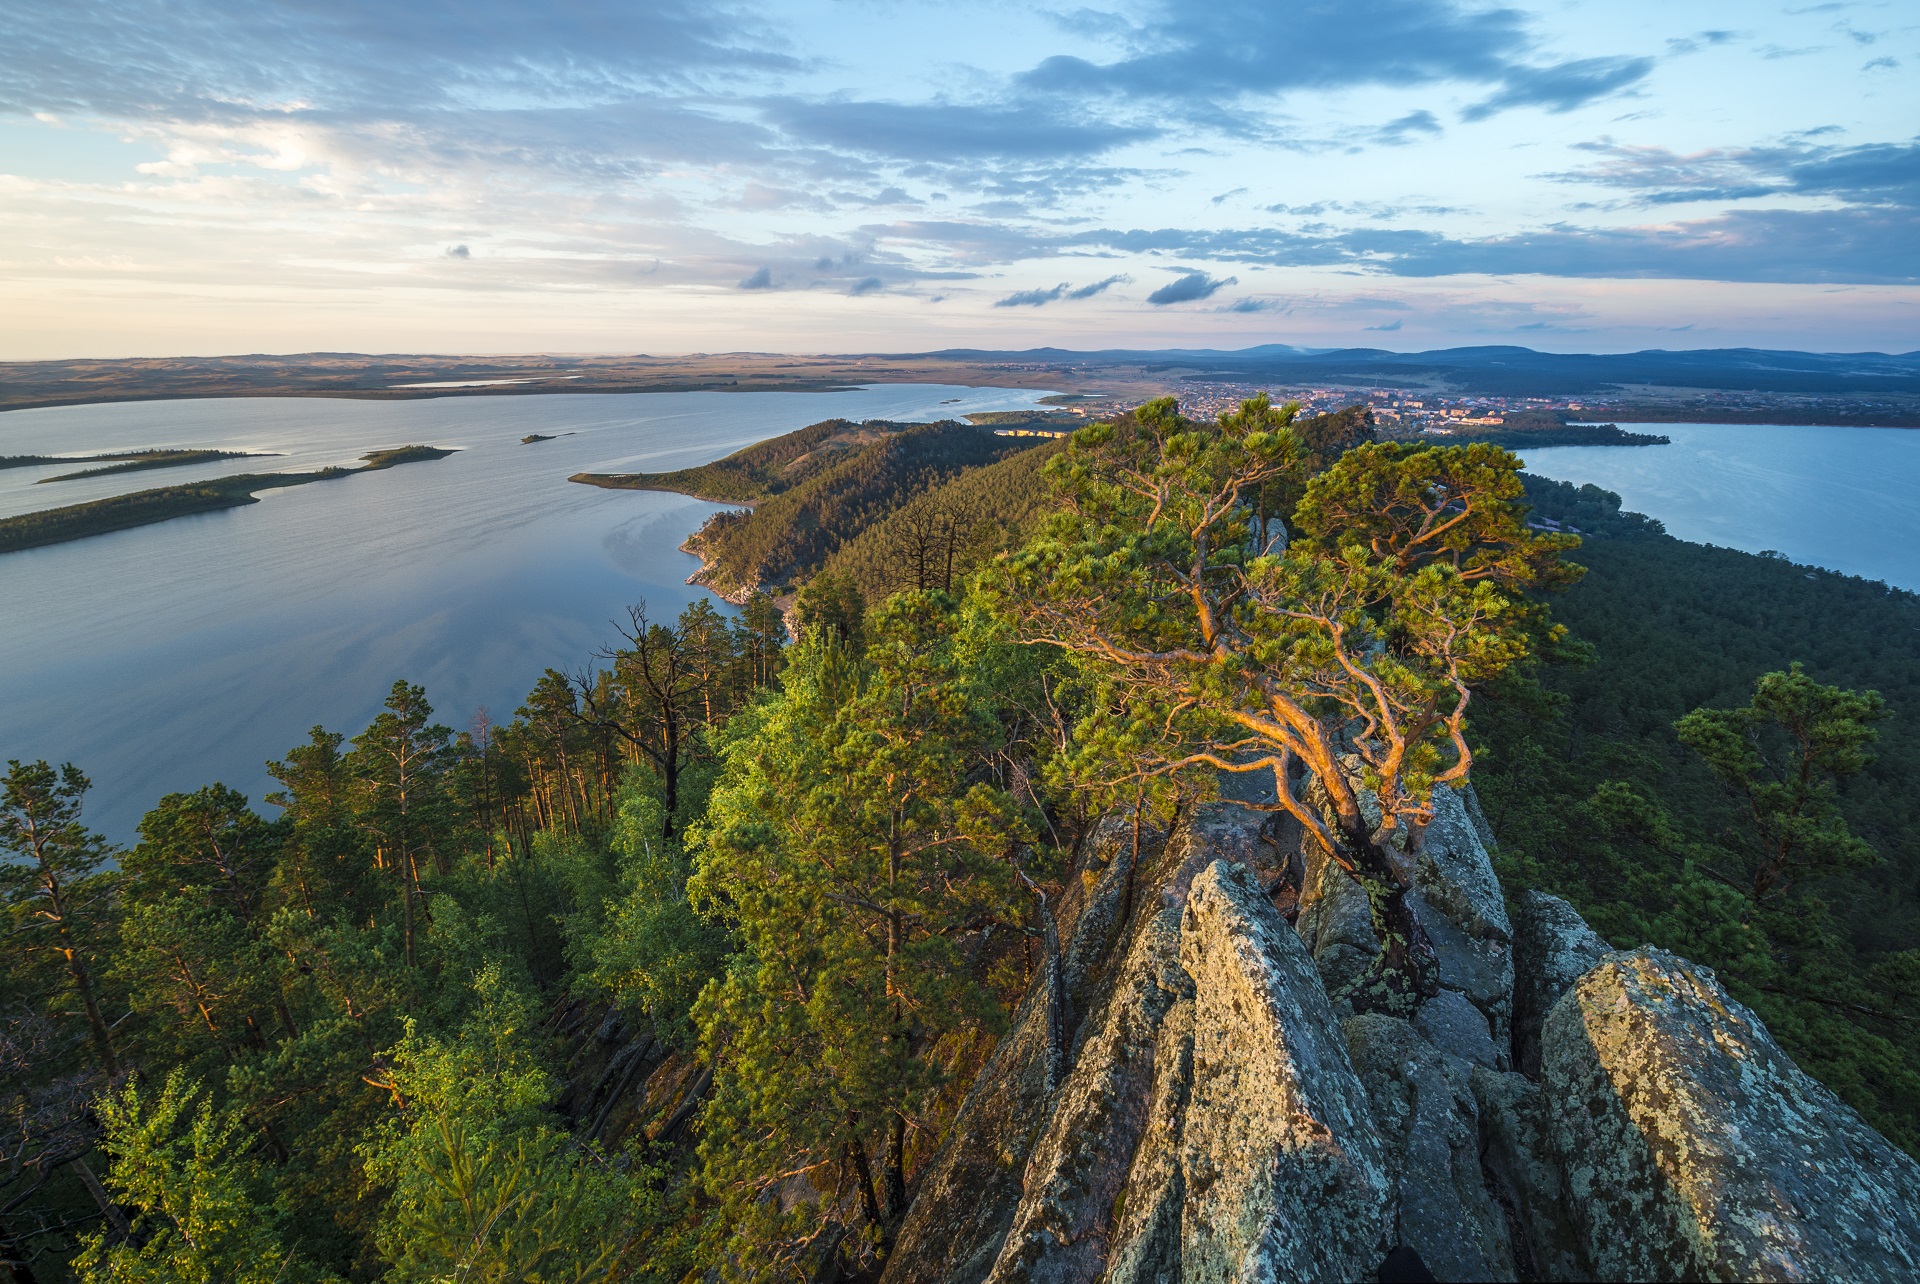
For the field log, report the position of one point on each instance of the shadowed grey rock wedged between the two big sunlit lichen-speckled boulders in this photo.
(1429, 1126)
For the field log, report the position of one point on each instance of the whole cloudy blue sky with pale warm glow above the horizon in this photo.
(901, 176)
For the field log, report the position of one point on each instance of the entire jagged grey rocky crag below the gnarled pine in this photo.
(1189, 1095)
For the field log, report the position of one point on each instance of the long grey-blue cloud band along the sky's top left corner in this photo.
(229, 59)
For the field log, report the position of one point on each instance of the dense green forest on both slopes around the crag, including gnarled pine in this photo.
(792, 874)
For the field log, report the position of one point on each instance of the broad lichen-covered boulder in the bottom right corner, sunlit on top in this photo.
(1694, 1149)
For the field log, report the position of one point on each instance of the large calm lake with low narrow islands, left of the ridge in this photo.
(197, 650)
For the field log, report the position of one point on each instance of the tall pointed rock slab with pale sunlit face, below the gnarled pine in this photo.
(1284, 1170)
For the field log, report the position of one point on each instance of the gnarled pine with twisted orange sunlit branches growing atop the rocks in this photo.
(1349, 652)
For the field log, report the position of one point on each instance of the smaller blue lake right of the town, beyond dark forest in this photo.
(1838, 498)
